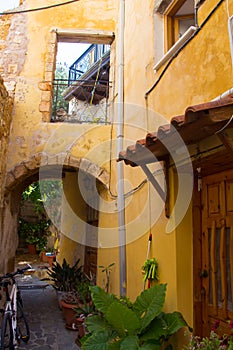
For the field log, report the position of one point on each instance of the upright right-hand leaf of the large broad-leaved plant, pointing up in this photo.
(149, 304)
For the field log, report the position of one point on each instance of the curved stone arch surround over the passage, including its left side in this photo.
(39, 166)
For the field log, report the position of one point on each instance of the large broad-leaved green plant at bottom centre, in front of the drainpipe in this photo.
(141, 325)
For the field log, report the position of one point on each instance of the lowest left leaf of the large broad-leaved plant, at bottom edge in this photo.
(97, 341)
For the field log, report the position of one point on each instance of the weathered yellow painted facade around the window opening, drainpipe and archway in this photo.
(200, 72)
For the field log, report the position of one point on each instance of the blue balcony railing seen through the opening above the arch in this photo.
(92, 55)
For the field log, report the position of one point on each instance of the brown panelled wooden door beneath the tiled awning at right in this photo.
(217, 251)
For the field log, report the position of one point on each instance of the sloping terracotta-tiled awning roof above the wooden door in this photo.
(199, 122)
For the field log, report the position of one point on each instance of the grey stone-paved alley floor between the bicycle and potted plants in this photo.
(47, 327)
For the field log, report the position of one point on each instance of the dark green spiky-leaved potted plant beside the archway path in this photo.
(65, 277)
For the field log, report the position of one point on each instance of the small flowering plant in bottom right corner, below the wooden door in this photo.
(214, 341)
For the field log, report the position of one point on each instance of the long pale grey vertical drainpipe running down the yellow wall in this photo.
(120, 139)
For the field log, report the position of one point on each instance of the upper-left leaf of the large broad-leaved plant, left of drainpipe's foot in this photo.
(101, 299)
